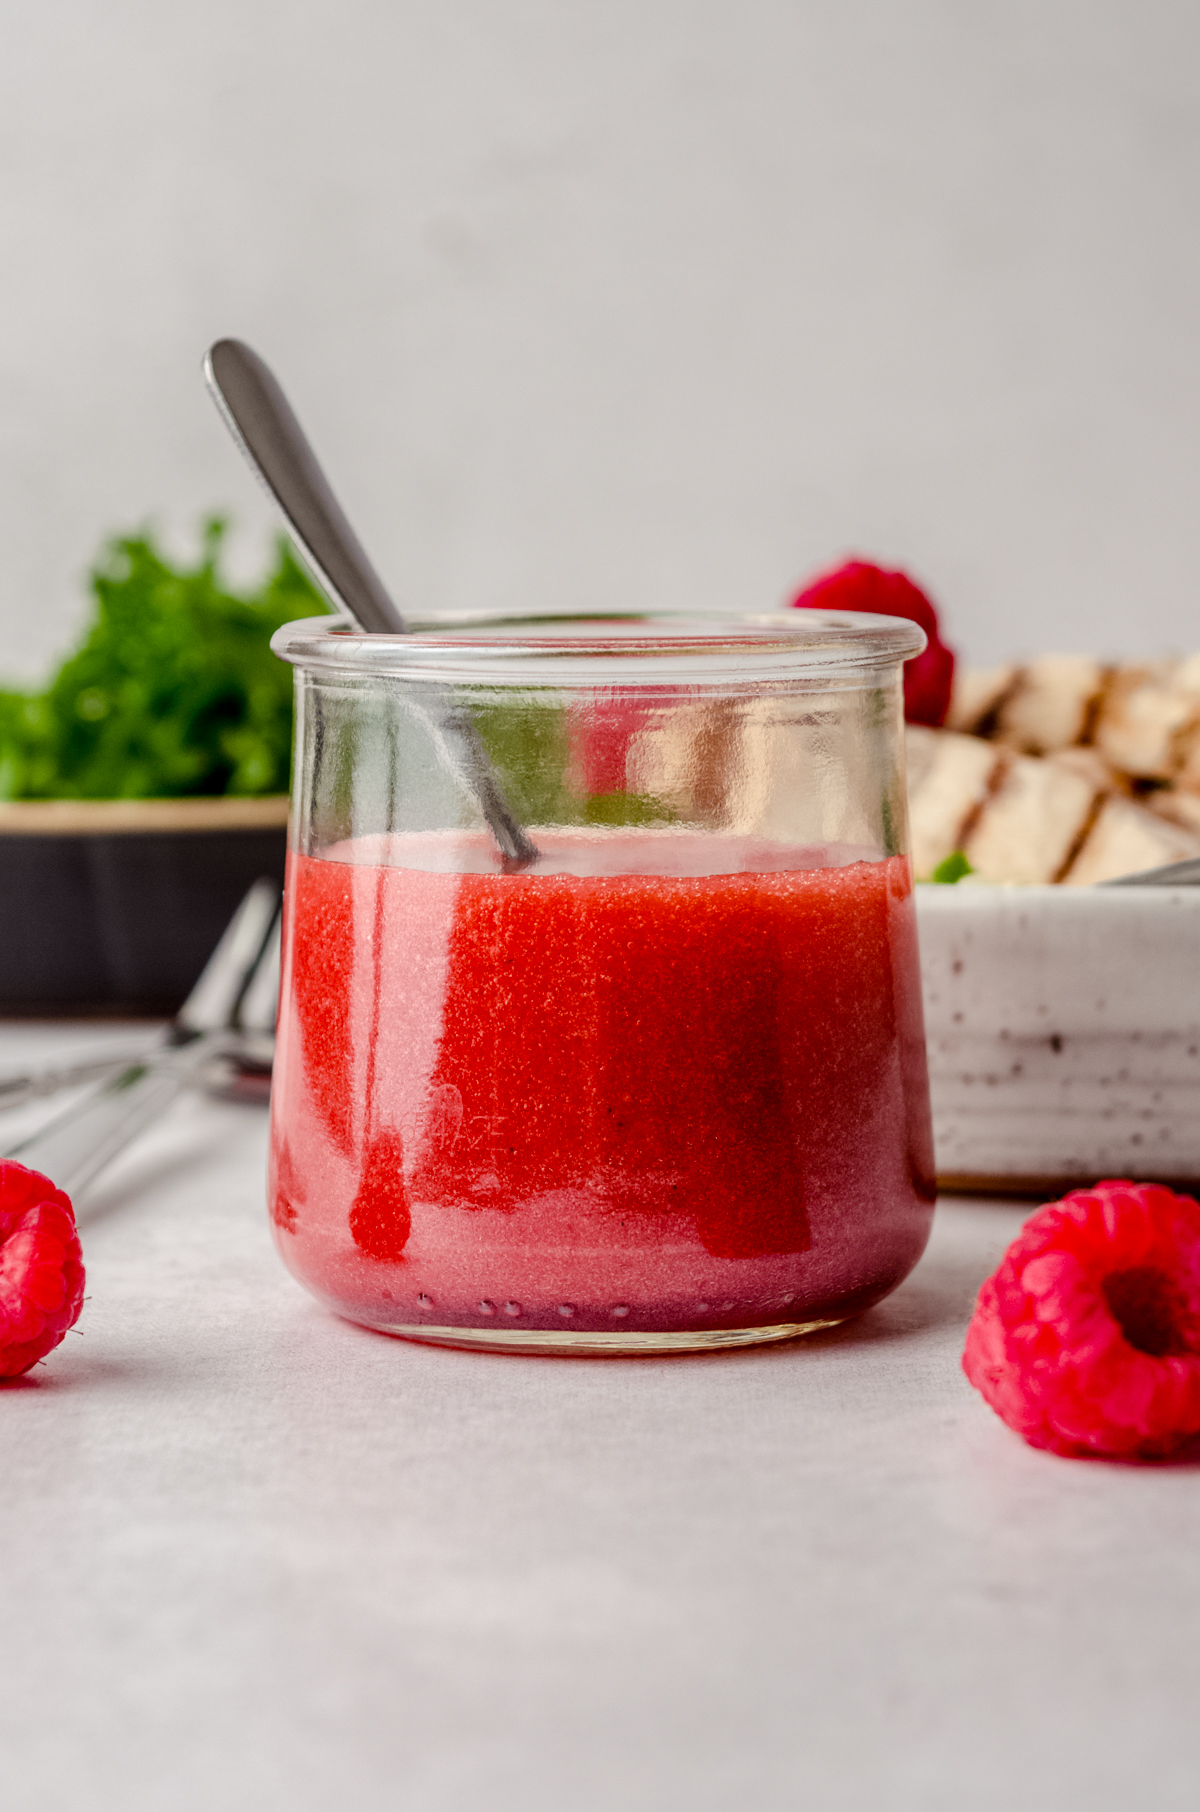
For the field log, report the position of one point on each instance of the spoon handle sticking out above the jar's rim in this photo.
(264, 425)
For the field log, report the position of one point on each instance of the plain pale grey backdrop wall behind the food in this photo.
(621, 302)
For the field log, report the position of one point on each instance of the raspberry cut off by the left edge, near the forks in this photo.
(41, 1267)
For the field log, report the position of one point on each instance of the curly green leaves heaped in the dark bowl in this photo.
(173, 691)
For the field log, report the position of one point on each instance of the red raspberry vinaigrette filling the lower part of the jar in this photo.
(630, 1110)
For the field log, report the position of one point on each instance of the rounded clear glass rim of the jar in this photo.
(641, 648)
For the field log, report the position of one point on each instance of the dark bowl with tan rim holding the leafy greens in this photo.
(115, 905)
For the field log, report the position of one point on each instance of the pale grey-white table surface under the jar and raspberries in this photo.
(258, 1557)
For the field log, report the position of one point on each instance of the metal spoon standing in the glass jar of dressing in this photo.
(264, 425)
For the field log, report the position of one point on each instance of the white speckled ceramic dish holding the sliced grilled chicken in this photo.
(1063, 1032)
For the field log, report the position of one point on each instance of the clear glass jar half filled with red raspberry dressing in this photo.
(601, 1017)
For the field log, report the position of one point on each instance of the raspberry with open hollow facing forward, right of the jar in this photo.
(1089, 1336)
